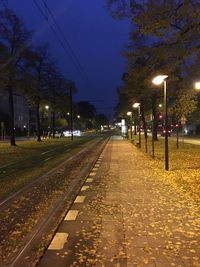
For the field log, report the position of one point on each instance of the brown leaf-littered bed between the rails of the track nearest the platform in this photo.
(18, 219)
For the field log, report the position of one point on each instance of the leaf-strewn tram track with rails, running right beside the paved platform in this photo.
(57, 209)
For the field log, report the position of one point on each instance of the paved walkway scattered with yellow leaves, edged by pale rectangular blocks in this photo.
(124, 216)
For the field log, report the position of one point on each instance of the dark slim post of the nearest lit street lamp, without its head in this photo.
(166, 127)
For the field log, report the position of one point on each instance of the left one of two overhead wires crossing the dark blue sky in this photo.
(58, 37)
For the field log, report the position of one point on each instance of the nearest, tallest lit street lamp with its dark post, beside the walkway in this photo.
(157, 81)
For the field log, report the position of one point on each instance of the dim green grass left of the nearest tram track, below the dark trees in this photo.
(22, 164)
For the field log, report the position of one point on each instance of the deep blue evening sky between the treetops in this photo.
(96, 39)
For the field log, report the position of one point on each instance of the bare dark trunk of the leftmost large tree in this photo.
(12, 117)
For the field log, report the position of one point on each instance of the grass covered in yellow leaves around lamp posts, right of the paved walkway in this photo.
(184, 164)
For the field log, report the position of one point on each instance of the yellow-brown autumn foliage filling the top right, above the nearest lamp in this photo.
(162, 36)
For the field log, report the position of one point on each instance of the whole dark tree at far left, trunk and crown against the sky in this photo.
(15, 39)
